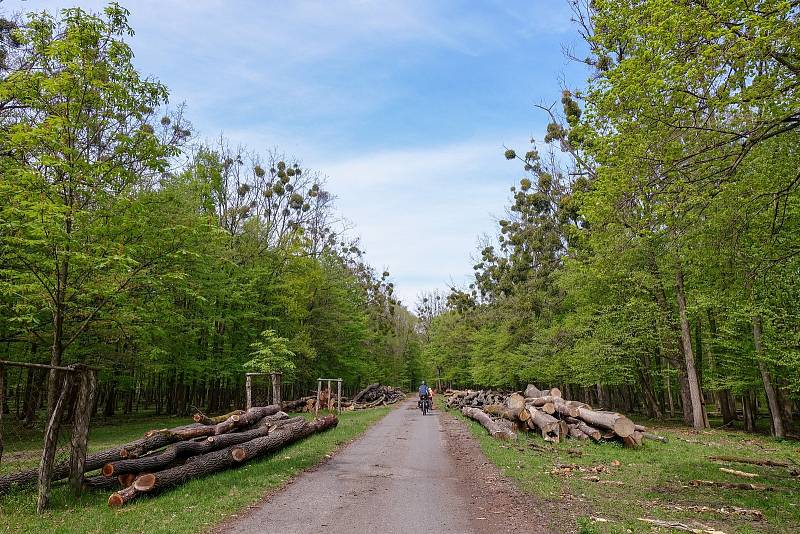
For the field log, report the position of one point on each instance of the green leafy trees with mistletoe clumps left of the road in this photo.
(171, 264)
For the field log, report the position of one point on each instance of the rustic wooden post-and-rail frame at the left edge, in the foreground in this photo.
(78, 385)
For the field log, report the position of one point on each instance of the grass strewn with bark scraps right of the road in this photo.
(652, 481)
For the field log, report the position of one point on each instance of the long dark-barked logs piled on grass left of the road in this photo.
(169, 457)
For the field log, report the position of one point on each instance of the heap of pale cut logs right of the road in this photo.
(547, 413)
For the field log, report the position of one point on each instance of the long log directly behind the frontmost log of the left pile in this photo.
(185, 449)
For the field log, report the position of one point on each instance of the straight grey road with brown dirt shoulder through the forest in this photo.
(399, 477)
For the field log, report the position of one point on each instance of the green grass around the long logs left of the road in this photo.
(192, 507)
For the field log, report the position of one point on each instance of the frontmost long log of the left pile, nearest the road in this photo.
(198, 466)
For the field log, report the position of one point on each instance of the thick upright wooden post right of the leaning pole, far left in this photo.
(86, 382)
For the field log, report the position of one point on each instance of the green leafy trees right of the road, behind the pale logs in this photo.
(648, 260)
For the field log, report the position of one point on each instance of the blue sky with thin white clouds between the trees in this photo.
(405, 105)
